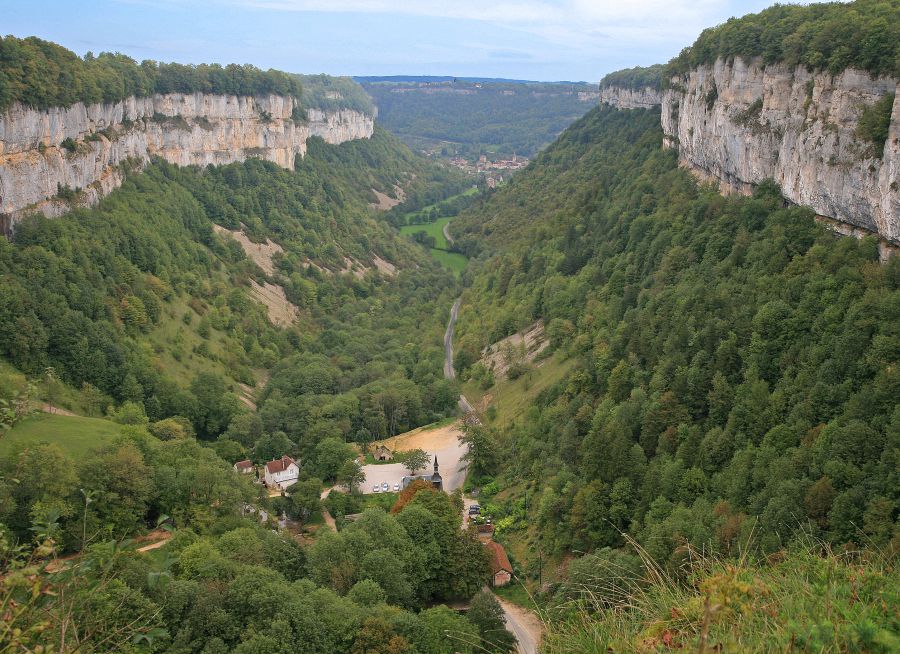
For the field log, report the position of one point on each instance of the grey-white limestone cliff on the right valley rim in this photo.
(740, 122)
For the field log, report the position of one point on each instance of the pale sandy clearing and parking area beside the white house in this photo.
(441, 441)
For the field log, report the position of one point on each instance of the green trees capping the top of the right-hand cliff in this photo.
(832, 36)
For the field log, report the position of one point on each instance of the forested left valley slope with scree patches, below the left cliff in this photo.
(142, 301)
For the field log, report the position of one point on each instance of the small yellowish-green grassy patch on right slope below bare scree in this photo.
(510, 399)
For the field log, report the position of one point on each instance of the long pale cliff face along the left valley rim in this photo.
(86, 147)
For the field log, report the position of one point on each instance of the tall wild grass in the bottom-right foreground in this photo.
(806, 602)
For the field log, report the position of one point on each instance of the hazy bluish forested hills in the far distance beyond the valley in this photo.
(471, 118)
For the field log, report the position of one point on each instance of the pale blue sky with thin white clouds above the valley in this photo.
(547, 40)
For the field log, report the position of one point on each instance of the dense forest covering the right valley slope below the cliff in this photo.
(733, 383)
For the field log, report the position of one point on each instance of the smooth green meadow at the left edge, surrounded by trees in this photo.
(75, 435)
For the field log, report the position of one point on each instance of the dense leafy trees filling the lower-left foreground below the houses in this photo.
(225, 582)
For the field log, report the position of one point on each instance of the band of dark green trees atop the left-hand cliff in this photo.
(42, 74)
